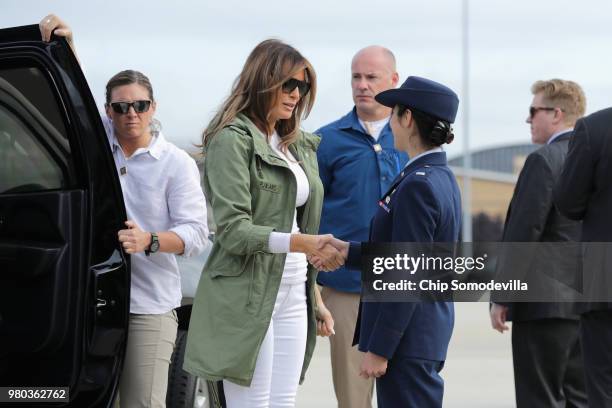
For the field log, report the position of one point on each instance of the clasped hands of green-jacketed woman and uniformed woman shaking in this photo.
(324, 252)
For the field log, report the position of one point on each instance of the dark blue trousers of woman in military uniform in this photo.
(410, 383)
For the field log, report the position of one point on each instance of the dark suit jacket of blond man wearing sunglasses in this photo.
(532, 217)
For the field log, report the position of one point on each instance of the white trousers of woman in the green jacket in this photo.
(280, 359)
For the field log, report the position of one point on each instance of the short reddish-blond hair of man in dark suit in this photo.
(566, 95)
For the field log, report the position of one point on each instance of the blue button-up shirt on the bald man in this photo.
(356, 170)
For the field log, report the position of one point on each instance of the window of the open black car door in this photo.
(34, 153)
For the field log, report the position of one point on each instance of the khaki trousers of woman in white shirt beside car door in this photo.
(145, 372)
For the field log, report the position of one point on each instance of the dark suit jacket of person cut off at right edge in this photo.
(584, 192)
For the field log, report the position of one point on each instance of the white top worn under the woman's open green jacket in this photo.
(279, 242)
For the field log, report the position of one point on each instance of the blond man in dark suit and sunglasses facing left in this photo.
(548, 368)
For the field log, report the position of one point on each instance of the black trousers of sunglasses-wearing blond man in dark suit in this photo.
(548, 366)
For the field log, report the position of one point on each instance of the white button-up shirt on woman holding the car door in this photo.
(161, 191)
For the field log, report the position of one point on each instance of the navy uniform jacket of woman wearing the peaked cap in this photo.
(425, 207)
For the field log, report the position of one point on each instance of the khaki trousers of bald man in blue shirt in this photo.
(352, 391)
